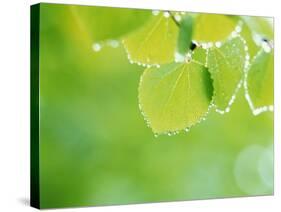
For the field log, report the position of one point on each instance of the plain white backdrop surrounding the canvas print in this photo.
(14, 102)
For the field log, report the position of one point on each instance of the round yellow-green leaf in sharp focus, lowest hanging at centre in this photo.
(175, 96)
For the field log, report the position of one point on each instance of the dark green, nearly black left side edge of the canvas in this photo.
(34, 98)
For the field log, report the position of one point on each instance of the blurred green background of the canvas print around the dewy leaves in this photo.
(95, 147)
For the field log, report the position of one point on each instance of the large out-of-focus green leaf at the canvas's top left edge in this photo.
(102, 23)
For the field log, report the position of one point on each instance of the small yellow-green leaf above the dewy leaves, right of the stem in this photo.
(212, 27)
